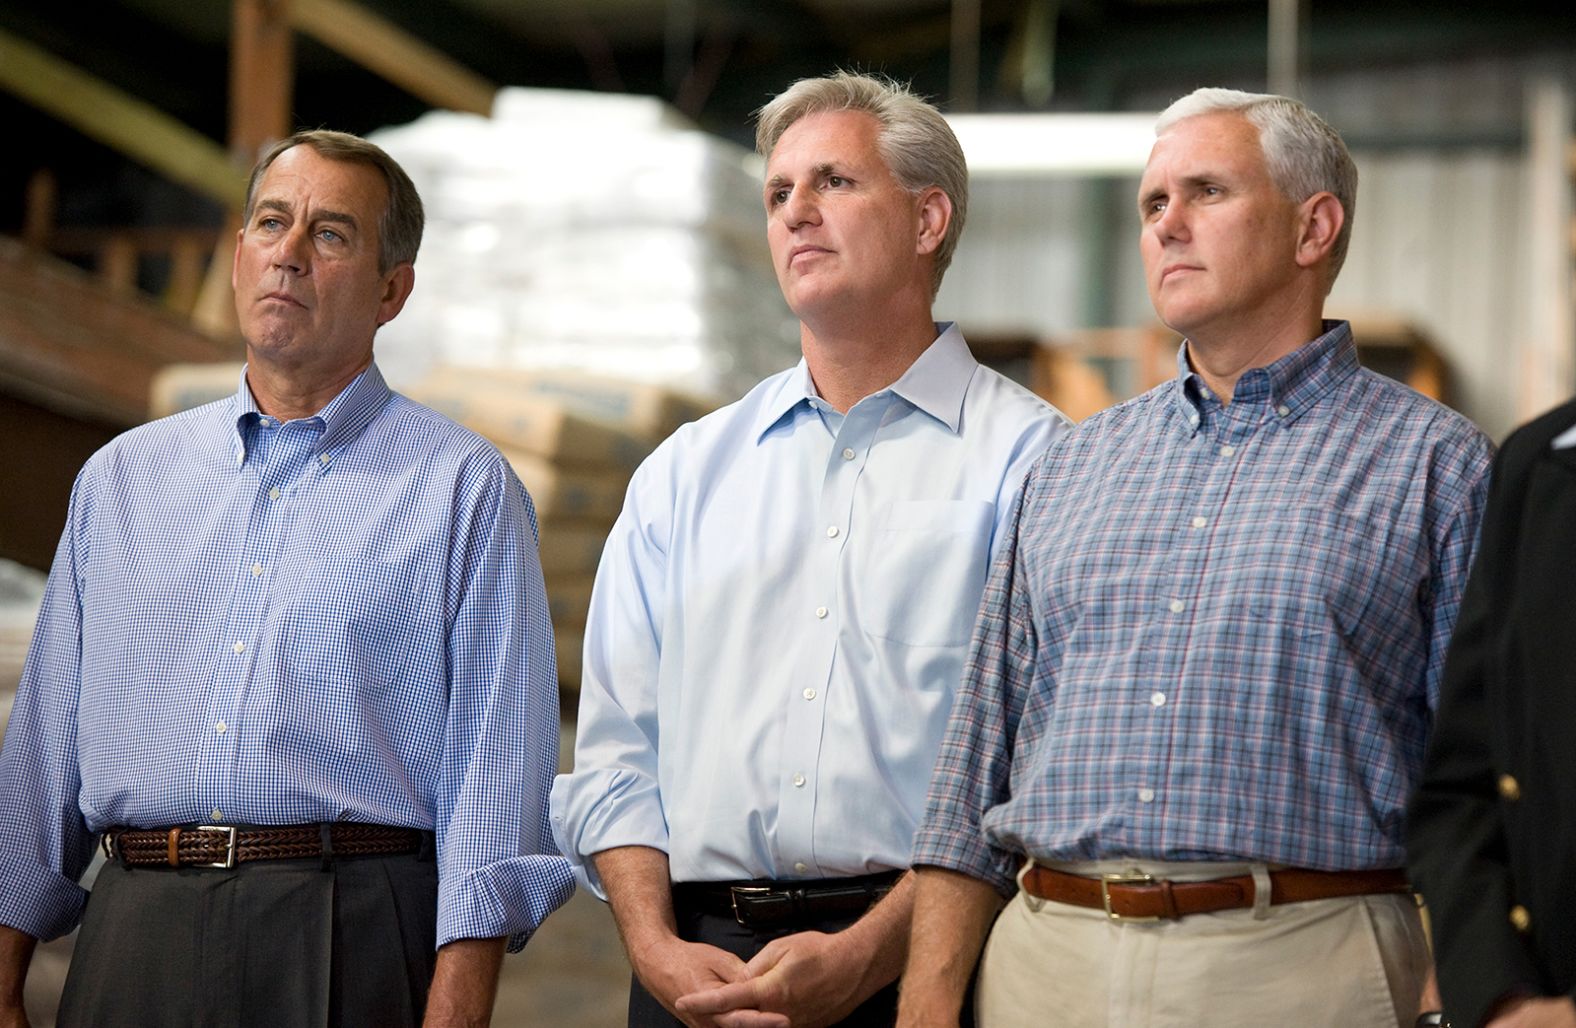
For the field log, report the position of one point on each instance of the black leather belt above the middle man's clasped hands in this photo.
(768, 904)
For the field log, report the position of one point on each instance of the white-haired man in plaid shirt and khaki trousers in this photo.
(1205, 669)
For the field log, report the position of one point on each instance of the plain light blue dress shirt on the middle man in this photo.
(781, 617)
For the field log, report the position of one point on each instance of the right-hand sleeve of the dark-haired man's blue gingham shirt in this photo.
(500, 873)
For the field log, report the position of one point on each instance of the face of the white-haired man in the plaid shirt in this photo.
(1219, 237)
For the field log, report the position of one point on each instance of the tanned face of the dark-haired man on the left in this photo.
(308, 289)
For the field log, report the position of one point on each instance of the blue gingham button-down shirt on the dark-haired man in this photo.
(333, 619)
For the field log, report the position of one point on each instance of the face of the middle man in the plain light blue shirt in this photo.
(841, 228)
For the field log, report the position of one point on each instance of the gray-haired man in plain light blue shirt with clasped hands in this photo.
(781, 614)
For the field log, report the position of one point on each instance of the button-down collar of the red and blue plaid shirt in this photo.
(1292, 385)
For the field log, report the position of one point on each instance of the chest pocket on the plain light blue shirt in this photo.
(926, 572)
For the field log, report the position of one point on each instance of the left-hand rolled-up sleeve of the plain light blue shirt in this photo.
(612, 799)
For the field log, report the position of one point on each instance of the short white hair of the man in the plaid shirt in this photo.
(1303, 154)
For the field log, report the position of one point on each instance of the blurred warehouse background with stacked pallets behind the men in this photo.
(595, 269)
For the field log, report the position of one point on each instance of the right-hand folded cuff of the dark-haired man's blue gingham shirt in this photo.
(507, 898)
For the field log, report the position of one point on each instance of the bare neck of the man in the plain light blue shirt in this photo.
(850, 363)
